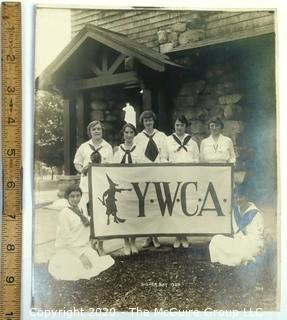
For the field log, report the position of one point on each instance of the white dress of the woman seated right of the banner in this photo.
(240, 248)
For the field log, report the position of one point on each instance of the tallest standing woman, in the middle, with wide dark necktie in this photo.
(150, 143)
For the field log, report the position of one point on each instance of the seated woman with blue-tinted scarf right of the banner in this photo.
(248, 238)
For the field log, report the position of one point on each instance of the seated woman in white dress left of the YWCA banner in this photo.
(74, 258)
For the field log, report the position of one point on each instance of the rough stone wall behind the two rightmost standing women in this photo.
(215, 93)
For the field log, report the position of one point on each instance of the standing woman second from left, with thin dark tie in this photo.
(127, 152)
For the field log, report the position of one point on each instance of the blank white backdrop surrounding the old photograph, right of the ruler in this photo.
(28, 102)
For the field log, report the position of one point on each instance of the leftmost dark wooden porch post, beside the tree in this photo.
(69, 135)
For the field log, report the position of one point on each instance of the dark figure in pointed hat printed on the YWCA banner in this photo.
(109, 201)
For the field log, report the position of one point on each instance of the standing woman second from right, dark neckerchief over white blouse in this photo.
(179, 147)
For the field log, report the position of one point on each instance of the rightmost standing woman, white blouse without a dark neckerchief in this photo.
(217, 148)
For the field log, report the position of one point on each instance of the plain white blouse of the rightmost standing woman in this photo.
(216, 152)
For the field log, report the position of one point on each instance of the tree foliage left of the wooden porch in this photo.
(49, 132)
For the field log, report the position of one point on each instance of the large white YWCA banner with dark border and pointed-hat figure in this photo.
(160, 199)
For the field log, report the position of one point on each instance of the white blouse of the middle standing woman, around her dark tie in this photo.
(141, 141)
